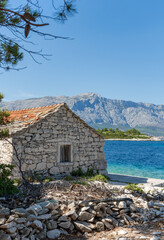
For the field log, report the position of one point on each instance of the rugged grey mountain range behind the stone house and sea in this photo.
(102, 112)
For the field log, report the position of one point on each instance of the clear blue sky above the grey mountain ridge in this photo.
(117, 52)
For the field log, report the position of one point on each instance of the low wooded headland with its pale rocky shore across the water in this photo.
(129, 135)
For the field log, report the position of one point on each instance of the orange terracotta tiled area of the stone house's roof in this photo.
(28, 116)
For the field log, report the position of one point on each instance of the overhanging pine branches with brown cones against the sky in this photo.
(21, 19)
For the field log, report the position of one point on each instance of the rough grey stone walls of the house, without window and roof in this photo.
(38, 145)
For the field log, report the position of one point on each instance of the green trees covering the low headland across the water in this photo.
(119, 134)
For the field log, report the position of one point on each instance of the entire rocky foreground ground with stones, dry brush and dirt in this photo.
(68, 210)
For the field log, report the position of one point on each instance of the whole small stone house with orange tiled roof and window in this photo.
(52, 140)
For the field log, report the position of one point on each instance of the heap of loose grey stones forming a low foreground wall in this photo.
(50, 218)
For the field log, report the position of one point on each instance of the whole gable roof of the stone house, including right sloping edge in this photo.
(26, 117)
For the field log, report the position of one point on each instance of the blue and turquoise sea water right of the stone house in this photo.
(135, 158)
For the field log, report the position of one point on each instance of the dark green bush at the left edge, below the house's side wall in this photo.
(6, 183)
